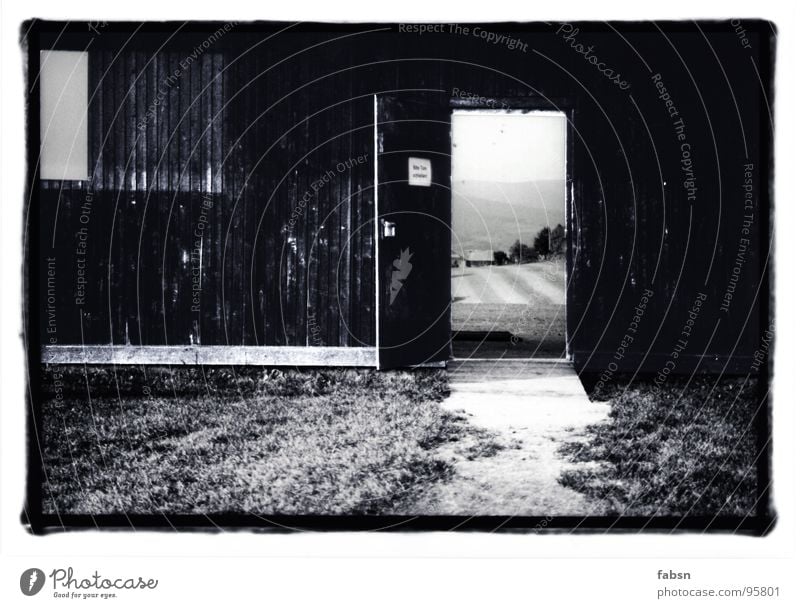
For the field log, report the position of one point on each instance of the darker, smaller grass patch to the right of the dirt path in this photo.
(675, 450)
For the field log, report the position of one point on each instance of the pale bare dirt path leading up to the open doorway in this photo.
(535, 407)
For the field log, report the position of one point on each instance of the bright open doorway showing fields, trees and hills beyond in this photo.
(509, 242)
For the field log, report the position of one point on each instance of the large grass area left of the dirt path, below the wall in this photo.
(214, 440)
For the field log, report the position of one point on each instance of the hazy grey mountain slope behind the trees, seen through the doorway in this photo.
(492, 215)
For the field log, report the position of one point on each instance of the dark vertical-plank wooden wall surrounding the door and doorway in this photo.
(283, 106)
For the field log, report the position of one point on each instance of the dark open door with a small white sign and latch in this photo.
(413, 172)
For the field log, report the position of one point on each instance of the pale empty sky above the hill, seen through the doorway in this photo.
(508, 146)
